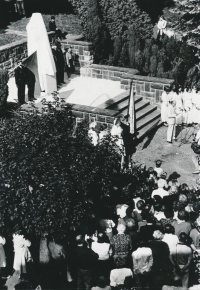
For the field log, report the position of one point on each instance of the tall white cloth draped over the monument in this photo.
(38, 41)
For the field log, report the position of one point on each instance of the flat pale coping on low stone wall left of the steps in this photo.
(93, 110)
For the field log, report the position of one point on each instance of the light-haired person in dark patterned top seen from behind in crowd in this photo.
(121, 245)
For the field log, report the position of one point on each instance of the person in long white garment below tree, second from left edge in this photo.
(22, 253)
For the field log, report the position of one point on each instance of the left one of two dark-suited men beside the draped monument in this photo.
(20, 80)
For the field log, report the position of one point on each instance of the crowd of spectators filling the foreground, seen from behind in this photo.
(150, 241)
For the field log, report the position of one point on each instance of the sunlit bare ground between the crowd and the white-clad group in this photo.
(177, 157)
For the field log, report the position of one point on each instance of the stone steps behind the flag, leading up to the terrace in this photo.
(147, 115)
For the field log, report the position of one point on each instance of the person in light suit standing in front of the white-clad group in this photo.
(171, 121)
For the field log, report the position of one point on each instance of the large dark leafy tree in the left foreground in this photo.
(49, 177)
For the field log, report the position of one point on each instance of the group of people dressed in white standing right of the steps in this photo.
(179, 107)
